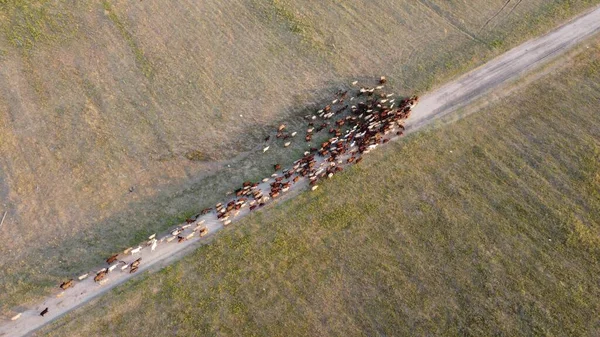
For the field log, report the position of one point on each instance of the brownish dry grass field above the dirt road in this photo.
(97, 97)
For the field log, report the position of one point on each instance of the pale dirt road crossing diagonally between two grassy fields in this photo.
(448, 98)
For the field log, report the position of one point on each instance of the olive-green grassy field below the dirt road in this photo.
(486, 226)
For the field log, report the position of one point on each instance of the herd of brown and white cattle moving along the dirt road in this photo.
(354, 123)
